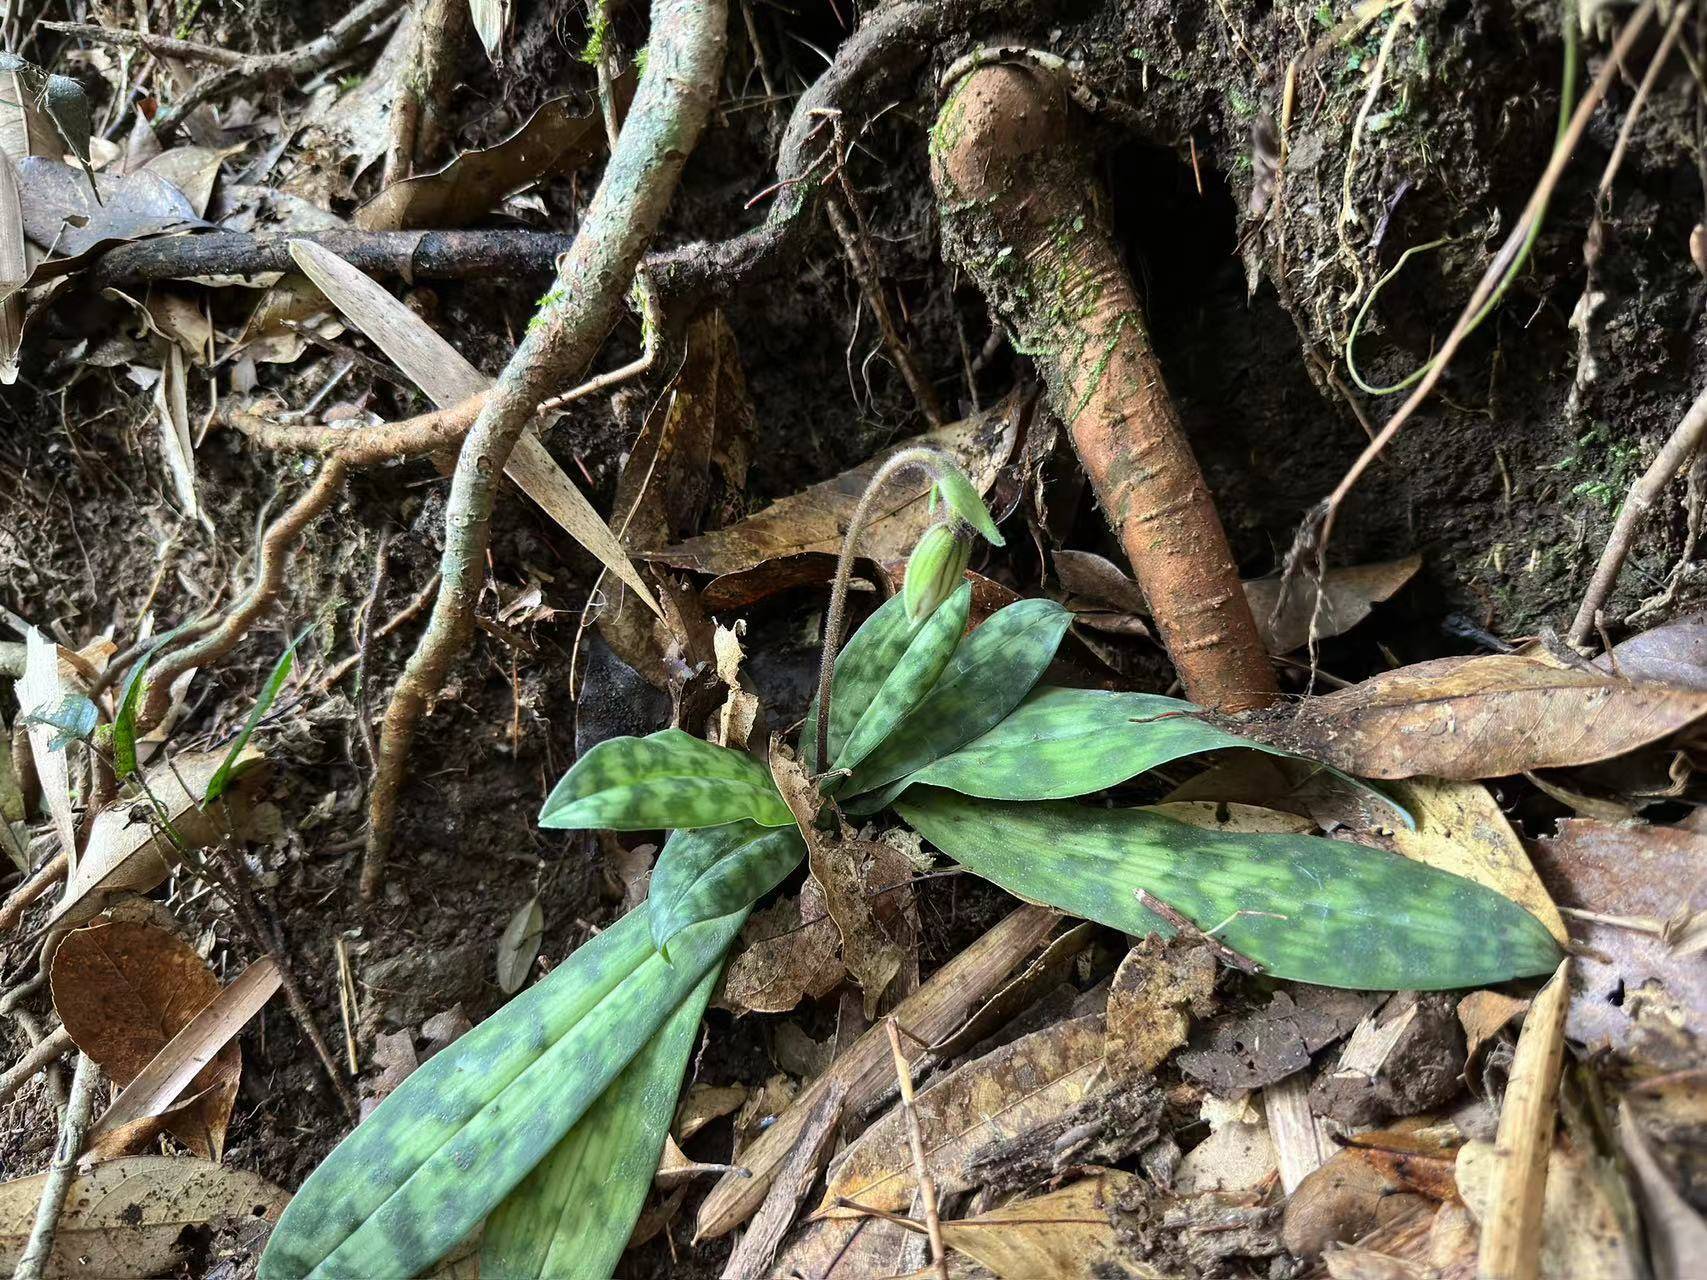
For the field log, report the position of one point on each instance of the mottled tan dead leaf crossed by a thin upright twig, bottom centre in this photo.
(998, 1097)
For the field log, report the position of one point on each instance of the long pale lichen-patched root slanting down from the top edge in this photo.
(670, 110)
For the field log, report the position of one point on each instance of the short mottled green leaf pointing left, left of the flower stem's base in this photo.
(667, 779)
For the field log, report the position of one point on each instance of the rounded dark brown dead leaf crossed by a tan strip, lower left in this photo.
(124, 992)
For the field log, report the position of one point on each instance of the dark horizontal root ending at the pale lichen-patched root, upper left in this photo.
(409, 255)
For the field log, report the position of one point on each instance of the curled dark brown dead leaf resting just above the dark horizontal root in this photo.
(557, 139)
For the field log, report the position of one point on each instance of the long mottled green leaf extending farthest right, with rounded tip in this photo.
(1303, 907)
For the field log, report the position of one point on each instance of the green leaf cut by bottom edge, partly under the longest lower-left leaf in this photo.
(573, 1216)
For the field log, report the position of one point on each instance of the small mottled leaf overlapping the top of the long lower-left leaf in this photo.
(714, 871)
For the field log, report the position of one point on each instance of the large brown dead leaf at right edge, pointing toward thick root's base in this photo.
(1481, 718)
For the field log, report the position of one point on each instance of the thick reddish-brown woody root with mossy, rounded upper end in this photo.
(1022, 214)
